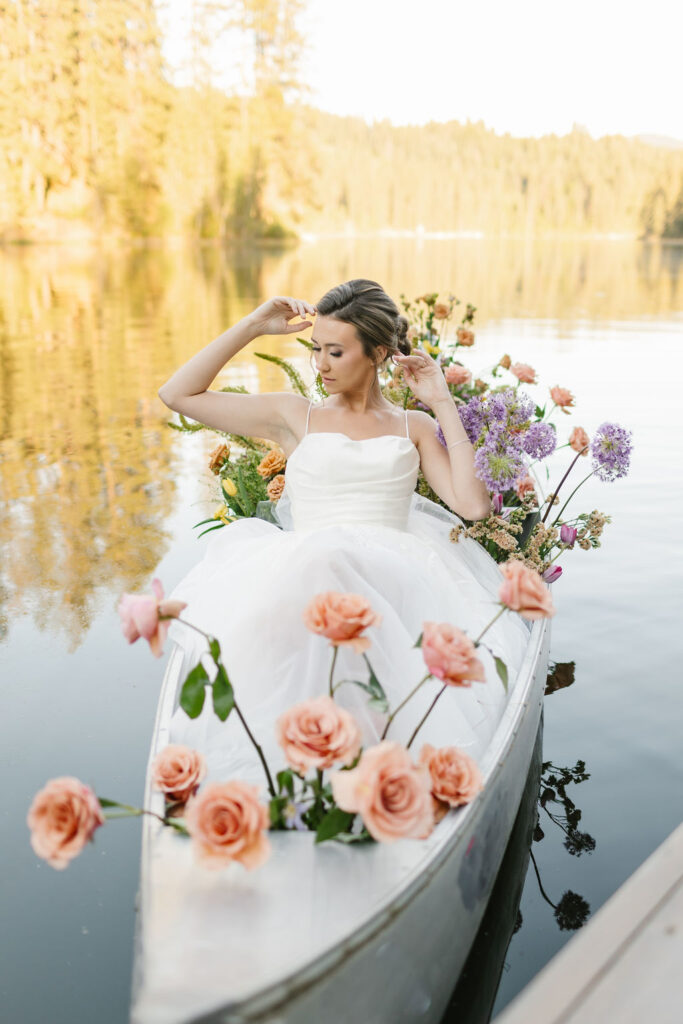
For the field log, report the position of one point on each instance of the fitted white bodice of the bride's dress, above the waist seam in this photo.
(333, 480)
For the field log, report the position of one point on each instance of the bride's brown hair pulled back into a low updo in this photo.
(374, 315)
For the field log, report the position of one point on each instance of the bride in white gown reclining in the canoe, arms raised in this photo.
(353, 523)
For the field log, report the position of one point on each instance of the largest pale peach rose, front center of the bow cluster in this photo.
(392, 794)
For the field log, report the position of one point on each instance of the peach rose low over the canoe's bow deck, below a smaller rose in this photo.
(227, 822)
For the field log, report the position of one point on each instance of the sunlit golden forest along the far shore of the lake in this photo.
(99, 141)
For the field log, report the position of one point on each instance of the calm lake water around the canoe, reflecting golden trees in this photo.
(98, 495)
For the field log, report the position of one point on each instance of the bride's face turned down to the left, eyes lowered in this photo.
(339, 357)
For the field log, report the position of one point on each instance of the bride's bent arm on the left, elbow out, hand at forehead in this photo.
(250, 415)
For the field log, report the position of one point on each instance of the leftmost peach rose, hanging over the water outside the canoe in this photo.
(63, 819)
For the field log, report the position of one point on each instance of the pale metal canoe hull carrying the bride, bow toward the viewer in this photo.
(373, 933)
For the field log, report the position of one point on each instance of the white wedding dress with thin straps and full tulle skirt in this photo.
(352, 523)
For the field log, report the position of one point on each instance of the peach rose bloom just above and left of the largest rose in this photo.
(318, 734)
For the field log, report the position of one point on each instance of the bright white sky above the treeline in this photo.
(525, 67)
